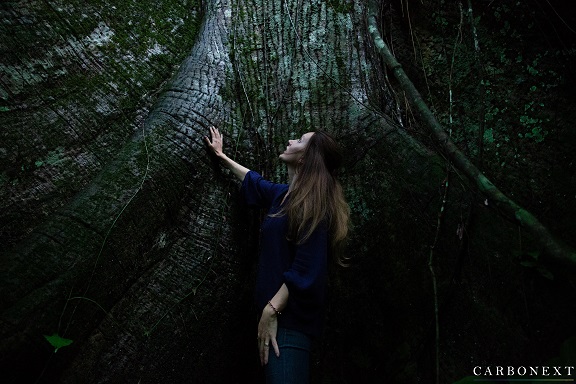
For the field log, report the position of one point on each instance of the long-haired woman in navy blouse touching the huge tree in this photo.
(307, 219)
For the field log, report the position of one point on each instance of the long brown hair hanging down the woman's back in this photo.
(316, 193)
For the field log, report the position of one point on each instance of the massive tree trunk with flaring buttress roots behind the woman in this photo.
(146, 260)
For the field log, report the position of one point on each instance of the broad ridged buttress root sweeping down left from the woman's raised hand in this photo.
(109, 269)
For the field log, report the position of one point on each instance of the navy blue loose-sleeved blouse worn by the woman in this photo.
(303, 267)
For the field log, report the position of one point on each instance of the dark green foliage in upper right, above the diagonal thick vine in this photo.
(497, 80)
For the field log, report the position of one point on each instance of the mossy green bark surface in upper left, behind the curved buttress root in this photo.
(79, 80)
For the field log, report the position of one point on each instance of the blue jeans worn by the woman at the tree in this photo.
(293, 365)
